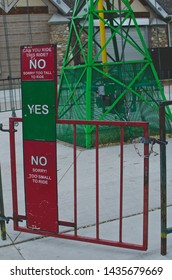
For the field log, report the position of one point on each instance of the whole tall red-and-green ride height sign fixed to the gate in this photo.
(39, 96)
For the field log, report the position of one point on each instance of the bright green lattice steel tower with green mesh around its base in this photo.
(99, 78)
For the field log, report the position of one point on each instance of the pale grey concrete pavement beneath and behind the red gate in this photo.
(25, 246)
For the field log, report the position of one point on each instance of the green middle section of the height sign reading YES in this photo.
(39, 110)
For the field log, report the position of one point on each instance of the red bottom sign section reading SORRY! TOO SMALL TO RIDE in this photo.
(41, 185)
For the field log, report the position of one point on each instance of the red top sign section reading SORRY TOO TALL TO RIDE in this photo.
(38, 63)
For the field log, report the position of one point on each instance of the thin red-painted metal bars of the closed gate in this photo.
(74, 233)
